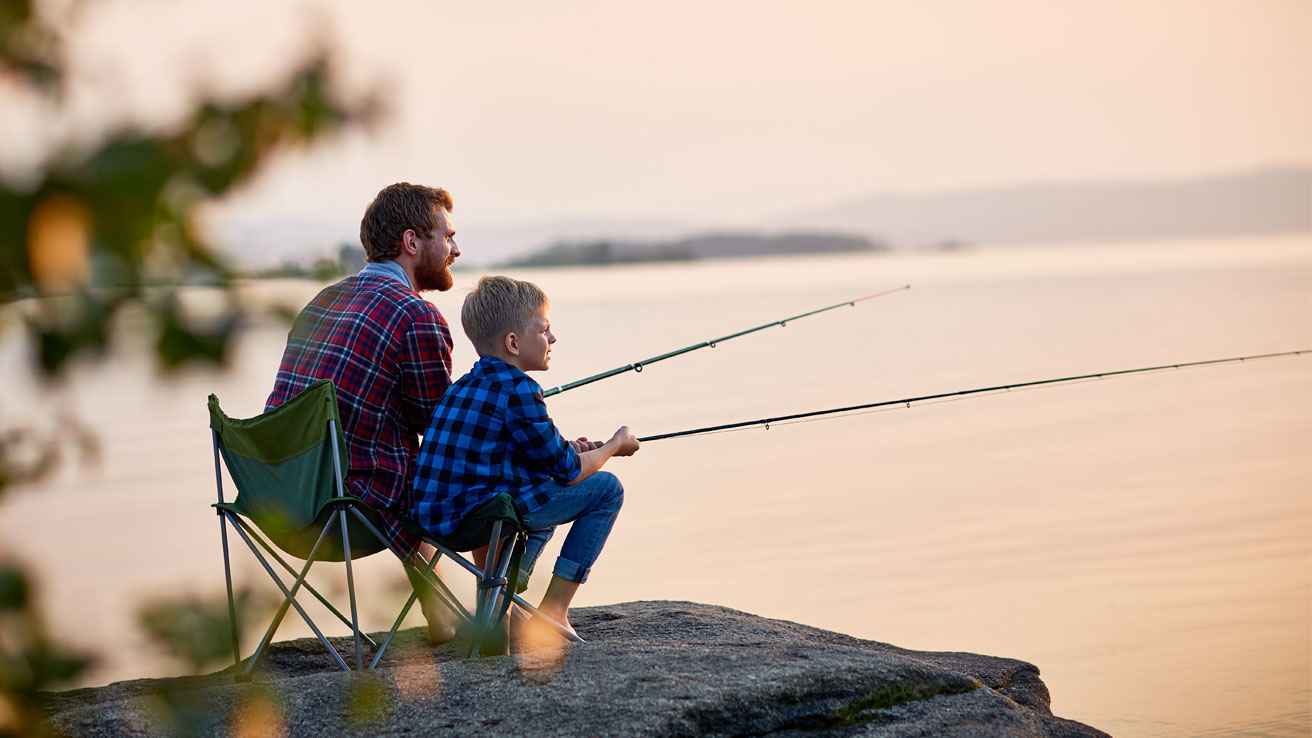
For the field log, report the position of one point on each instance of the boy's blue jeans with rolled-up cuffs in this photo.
(592, 506)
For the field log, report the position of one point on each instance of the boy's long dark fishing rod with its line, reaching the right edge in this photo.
(949, 397)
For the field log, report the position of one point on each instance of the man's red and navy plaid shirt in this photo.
(389, 353)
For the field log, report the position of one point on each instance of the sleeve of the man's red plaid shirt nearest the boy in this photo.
(426, 368)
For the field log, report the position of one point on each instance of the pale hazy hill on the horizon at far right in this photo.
(1255, 203)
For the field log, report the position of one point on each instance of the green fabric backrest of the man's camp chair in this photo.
(283, 464)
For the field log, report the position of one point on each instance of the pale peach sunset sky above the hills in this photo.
(722, 112)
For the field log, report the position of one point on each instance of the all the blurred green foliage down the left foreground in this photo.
(106, 227)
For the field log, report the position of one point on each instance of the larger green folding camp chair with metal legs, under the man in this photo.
(289, 467)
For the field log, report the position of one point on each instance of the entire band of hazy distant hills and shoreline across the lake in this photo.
(1268, 202)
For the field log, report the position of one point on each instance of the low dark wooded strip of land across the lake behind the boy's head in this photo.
(714, 246)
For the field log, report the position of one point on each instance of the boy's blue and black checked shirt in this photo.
(491, 434)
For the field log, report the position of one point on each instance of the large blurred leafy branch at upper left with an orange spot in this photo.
(98, 228)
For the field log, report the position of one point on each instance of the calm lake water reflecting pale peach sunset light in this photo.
(1147, 542)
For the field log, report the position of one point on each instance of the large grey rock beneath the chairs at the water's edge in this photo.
(647, 669)
